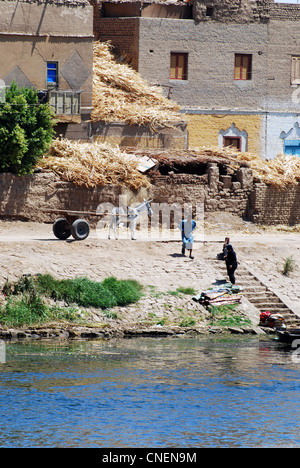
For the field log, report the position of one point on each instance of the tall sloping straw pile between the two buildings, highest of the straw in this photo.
(121, 94)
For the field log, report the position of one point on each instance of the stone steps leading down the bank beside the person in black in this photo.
(262, 298)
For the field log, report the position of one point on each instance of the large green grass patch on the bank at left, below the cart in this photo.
(27, 300)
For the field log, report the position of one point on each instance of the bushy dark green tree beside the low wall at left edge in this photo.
(26, 130)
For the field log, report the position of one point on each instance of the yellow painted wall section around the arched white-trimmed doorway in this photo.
(203, 129)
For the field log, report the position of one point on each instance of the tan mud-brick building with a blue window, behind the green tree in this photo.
(48, 45)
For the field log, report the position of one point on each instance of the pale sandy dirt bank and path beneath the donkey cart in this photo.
(31, 248)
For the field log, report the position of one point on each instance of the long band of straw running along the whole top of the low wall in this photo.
(92, 164)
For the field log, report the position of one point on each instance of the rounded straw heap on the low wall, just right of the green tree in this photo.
(92, 164)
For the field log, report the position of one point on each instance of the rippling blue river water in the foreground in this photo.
(167, 392)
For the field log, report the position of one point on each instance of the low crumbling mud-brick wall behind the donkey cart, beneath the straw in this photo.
(27, 197)
